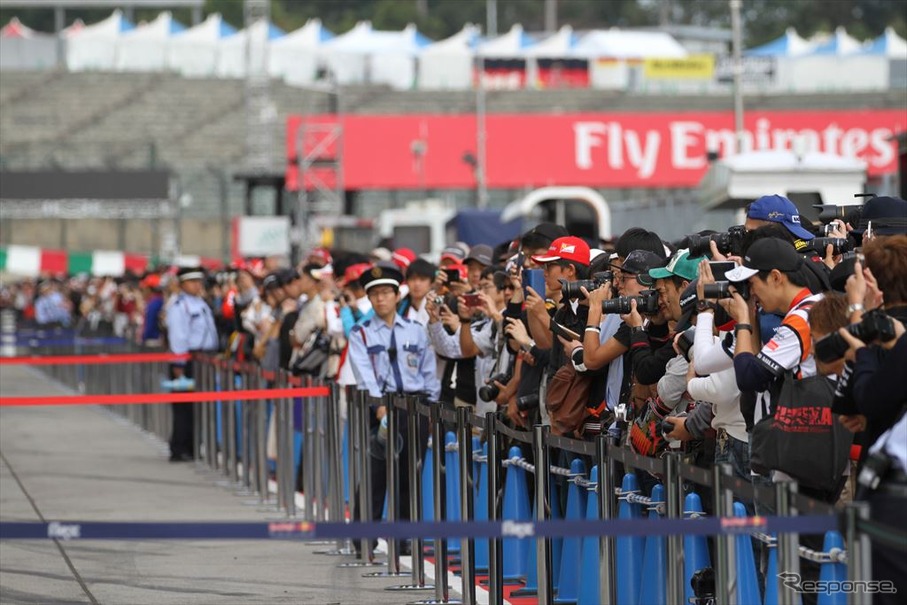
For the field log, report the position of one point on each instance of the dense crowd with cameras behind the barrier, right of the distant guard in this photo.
(775, 348)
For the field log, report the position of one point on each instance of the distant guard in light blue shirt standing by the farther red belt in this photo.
(190, 327)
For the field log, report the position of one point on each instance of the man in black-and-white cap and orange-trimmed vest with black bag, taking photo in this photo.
(783, 375)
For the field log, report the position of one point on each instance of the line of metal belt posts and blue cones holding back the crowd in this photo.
(457, 479)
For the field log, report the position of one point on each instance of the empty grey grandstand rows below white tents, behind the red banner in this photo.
(80, 120)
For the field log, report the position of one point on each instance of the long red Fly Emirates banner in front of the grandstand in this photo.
(658, 149)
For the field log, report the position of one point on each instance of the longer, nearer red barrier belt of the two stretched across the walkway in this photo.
(187, 397)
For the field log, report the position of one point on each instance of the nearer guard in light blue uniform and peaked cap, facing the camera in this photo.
(390, 354)
